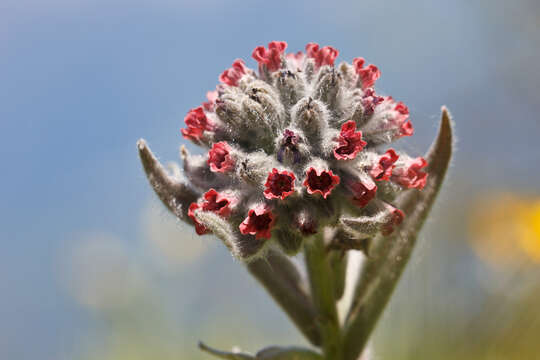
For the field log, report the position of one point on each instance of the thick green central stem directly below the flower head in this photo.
(323, 293)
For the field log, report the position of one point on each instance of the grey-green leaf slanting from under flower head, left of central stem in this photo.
(281, 279)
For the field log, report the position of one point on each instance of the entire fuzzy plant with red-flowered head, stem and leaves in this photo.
(296, 160)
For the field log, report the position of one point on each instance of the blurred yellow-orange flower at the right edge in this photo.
(505, 229)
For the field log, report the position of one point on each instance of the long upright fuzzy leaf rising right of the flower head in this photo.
(389, 255)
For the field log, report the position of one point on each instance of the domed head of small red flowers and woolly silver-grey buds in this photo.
(293, 148)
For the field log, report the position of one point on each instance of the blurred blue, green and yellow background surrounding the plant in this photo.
(92, 266)
